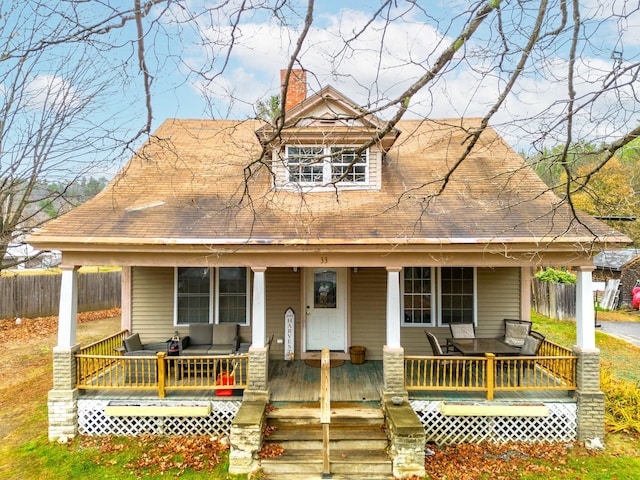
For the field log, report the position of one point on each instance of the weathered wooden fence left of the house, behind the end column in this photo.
(39, 295)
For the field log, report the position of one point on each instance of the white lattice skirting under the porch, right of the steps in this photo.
(559, 426)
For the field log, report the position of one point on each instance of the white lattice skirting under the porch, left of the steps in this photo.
(92, 420)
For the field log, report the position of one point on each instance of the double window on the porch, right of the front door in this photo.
(438, 296)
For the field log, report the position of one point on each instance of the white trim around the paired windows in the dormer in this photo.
(327, 183)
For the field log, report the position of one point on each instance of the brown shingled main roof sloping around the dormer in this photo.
(203, 183)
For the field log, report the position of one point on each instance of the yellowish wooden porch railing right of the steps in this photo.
(553, 369)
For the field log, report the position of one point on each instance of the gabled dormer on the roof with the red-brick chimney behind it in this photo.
(326, 142)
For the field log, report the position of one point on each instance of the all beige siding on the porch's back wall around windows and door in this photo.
(498, 298)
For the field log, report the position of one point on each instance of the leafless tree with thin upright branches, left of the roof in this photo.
(57, 80)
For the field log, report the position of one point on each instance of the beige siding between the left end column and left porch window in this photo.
(152, 292)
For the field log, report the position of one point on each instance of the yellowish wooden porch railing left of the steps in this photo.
(222, 373)
